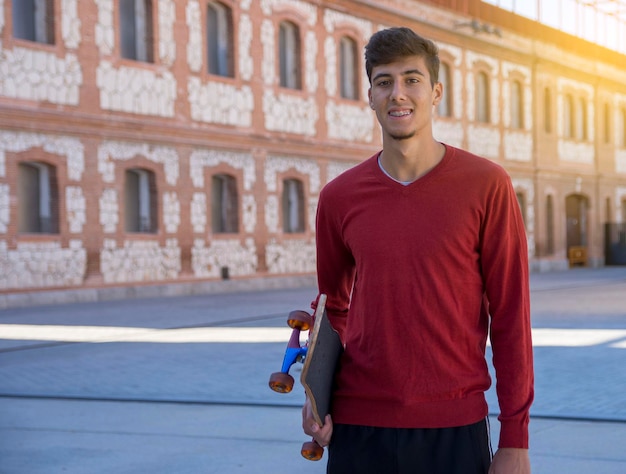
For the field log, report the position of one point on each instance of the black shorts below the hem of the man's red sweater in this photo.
(369, 450)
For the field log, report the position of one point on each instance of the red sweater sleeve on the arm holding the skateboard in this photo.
(335, 264)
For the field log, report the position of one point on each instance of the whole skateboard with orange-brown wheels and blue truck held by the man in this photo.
(319, 357)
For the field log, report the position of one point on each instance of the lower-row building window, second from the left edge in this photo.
(140, 201)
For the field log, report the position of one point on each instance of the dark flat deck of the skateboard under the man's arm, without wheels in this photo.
(318, 371)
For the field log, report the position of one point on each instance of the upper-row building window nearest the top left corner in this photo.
(33, 20)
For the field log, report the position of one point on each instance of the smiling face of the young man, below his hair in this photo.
(403, 97)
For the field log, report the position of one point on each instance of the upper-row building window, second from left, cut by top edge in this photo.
(136, 30)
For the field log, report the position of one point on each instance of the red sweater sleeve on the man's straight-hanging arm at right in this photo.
(504, 260)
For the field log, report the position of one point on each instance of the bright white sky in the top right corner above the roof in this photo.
(599, 21)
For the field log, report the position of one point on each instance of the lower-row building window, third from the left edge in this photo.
(225, 206)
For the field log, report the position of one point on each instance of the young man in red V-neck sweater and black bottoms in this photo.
(422, 252)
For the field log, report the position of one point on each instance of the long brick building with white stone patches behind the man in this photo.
(157, 141)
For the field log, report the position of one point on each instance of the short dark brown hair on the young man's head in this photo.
(392, 44)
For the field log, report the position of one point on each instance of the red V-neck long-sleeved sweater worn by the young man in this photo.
(415, 277)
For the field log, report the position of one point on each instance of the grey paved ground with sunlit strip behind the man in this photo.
(179, 384)
